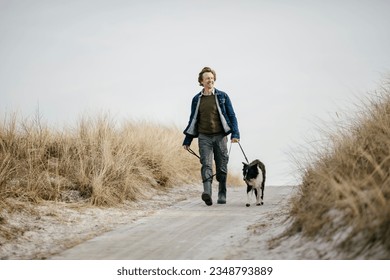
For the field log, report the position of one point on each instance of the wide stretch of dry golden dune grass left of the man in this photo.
(98, 162)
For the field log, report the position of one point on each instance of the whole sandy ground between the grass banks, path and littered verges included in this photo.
(170, 225)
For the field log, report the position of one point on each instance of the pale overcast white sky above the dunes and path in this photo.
(285, 64)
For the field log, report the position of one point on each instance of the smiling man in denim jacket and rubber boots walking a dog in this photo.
(212, 119)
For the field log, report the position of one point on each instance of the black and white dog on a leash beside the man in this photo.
(254, 177)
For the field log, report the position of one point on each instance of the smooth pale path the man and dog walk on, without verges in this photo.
(188, 230)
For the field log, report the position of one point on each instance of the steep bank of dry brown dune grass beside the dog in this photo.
(345, 192)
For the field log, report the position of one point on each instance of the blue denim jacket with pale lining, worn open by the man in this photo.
(226, 113)
